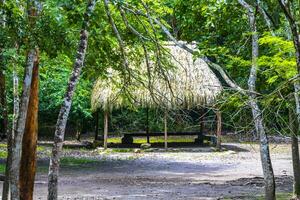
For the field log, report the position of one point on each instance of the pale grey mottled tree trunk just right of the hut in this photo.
(256, 111)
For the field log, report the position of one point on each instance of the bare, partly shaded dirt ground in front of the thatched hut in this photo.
(179, 173)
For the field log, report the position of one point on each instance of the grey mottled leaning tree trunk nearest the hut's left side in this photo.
(66, 106)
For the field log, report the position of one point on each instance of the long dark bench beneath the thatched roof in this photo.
(128, 137)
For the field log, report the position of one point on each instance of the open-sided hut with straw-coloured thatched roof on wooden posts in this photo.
(188, 82)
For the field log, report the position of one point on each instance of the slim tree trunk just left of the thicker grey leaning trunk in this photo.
(10, 136)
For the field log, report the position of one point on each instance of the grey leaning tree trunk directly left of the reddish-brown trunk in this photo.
(20, 126)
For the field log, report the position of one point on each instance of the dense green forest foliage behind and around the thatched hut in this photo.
(220, 29)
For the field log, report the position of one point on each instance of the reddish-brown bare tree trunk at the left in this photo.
(29, 143)
